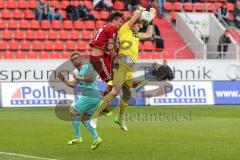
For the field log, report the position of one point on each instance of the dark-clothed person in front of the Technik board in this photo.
(162, 72)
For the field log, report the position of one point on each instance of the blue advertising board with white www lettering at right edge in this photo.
(226, 92)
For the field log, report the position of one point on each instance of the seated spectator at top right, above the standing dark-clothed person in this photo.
(223, 14)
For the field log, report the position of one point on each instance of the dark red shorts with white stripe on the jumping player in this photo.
(102, 64)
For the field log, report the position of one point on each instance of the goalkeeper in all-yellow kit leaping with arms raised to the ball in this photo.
(129, 37)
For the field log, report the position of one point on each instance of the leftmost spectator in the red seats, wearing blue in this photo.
(41, 12)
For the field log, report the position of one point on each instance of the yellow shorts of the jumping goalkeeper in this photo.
(123, 76)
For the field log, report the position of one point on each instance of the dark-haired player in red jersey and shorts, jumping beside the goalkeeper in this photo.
(104, 51)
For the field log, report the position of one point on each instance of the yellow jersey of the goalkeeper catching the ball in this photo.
(128, 43)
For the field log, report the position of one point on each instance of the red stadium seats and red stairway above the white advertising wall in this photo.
(22, 36)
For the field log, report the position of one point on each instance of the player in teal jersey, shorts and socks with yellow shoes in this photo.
(87, 104)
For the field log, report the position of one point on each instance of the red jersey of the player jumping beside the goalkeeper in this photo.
(103, 34)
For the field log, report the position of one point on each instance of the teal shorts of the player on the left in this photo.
(86, 105)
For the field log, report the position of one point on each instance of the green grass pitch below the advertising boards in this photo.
(211, 133)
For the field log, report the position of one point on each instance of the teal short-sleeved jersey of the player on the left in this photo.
(89, 89)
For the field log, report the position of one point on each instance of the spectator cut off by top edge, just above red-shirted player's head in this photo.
(103, 4)
